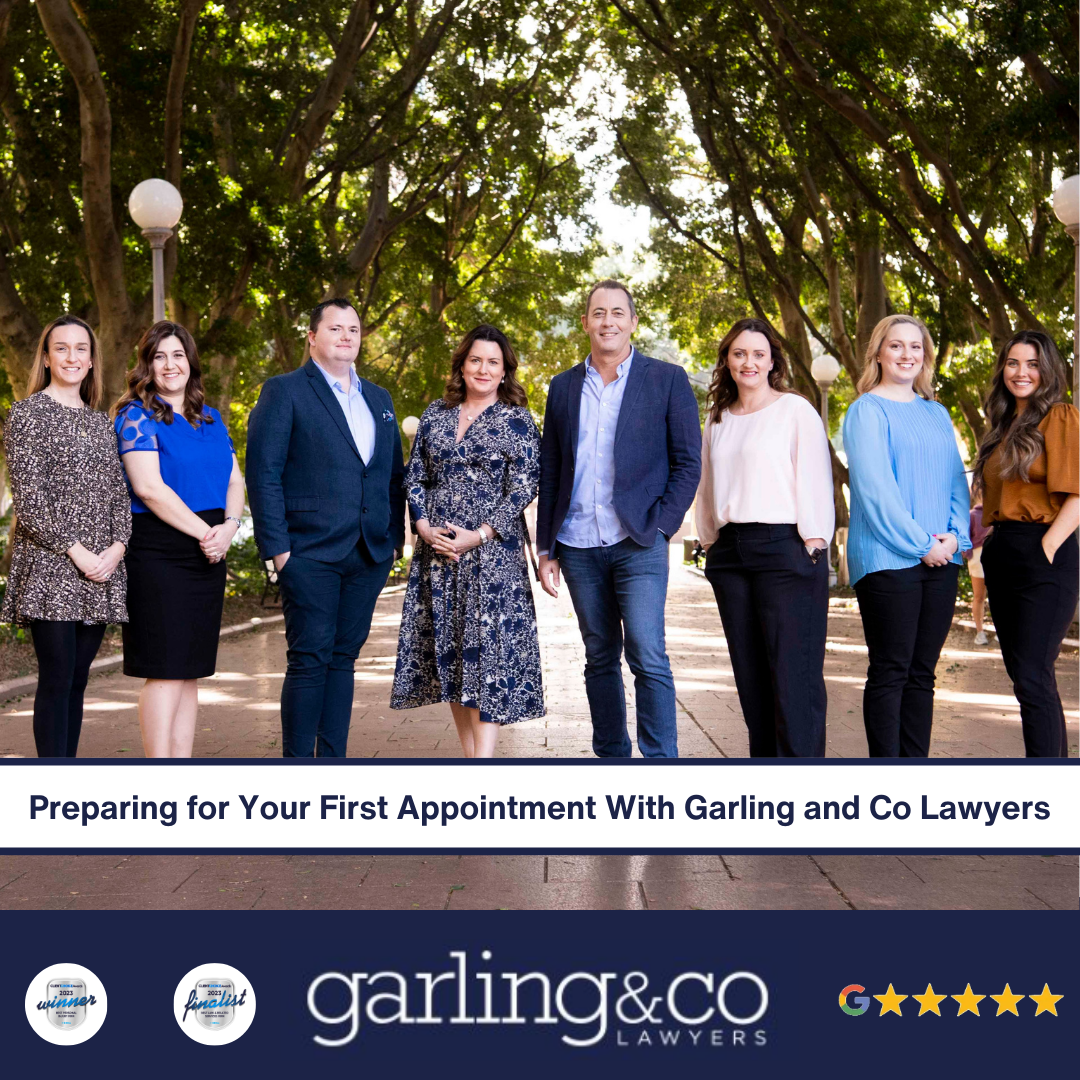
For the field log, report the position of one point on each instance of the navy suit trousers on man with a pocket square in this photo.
(328, 610)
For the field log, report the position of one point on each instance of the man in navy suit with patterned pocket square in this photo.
(326, 485)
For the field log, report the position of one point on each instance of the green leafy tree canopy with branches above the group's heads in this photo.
(819, 165)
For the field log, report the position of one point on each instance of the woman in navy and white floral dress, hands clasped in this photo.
(469, 629)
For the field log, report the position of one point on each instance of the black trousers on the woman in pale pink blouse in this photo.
(774, 602)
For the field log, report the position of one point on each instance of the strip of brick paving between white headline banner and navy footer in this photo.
(497, 883)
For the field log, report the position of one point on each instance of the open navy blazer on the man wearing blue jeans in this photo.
(657, 452)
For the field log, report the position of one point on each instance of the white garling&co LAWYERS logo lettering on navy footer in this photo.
(693, 1008)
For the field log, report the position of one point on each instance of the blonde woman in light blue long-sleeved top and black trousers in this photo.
(909, 525)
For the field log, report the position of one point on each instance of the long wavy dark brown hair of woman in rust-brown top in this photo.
(1019, 437)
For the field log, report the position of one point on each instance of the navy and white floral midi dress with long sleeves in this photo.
(469, 629)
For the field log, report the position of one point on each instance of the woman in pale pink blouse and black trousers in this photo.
(765, 516)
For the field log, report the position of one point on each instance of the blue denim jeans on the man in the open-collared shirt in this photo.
(620, 591)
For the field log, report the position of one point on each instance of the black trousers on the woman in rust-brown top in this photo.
(1033, 602)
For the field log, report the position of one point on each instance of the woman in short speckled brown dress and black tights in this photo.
(73, 523)
